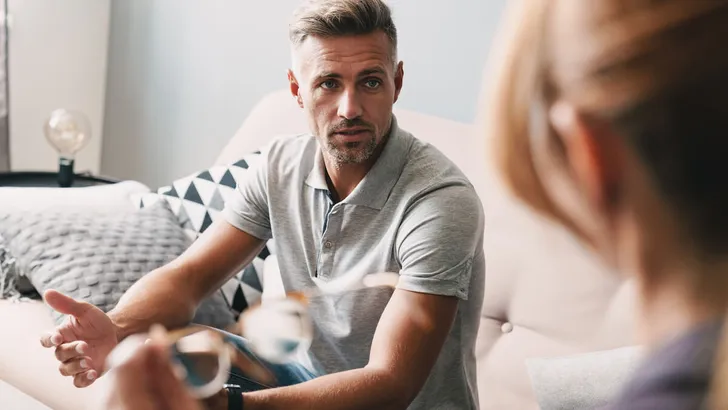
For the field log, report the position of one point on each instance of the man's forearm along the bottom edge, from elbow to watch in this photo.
(365, 388)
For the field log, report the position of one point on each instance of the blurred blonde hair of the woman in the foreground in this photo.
(657, 72)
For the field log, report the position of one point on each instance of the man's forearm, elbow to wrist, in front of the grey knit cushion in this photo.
(152, 299)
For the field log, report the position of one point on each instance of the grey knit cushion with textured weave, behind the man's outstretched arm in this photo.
(96, 256)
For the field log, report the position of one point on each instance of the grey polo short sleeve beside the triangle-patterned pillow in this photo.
(247, 208)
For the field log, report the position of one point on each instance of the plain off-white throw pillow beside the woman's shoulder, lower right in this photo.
(582, 381)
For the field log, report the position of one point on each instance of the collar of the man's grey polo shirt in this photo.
(378, 183)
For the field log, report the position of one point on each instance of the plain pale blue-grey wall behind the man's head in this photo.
(183, 74)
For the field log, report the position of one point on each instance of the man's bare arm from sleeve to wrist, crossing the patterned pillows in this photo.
(169, 295)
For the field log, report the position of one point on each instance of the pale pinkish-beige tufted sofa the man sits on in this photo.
(545, 296)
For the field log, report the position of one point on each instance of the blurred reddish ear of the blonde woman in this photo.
(594, 158)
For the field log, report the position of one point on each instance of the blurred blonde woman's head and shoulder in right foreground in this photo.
(611, 117)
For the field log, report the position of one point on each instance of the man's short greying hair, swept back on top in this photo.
(334, 18)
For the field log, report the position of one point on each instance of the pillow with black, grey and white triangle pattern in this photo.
(197, 200)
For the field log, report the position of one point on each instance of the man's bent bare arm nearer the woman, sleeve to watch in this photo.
(406, 345)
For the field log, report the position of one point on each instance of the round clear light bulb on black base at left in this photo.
(68, 131)
